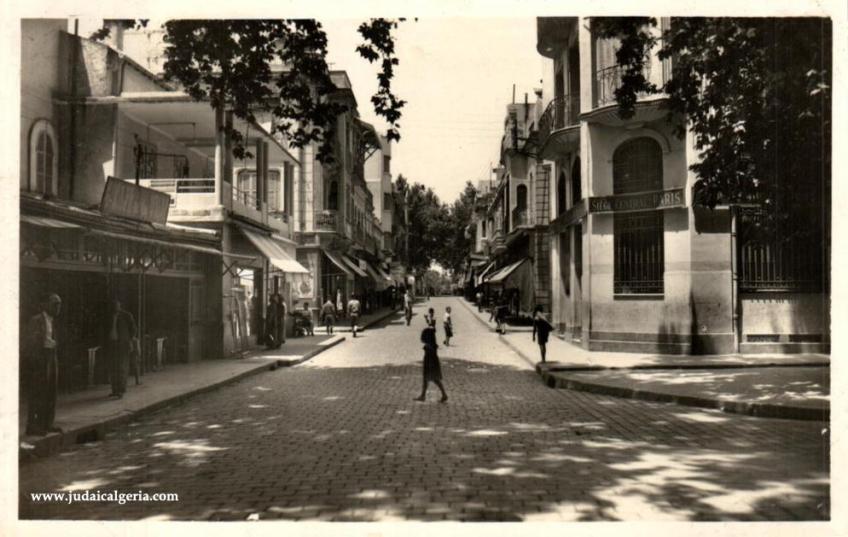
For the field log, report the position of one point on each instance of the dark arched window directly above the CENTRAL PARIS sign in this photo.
(637, 166)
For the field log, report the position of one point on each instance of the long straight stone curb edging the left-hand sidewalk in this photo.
(55, 442)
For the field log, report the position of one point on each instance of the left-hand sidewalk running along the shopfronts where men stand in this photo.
(85, 416)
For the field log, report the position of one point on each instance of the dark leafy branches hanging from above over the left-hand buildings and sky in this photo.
(229, 63)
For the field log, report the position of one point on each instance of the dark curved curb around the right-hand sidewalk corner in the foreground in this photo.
(760, 410)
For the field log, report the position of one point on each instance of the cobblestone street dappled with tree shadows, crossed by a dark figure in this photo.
(340, 438)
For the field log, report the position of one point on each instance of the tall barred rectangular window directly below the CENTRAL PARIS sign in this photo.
(639, 261)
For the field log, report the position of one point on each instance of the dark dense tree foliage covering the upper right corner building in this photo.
(755, 95)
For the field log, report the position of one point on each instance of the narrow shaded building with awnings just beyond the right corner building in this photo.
(517, 218)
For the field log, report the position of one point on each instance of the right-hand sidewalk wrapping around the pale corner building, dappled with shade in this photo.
(778, 386)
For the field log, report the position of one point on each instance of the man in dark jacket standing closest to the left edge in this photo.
(42, 368)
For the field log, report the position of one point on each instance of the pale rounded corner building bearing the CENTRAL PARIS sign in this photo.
(635, 266)
